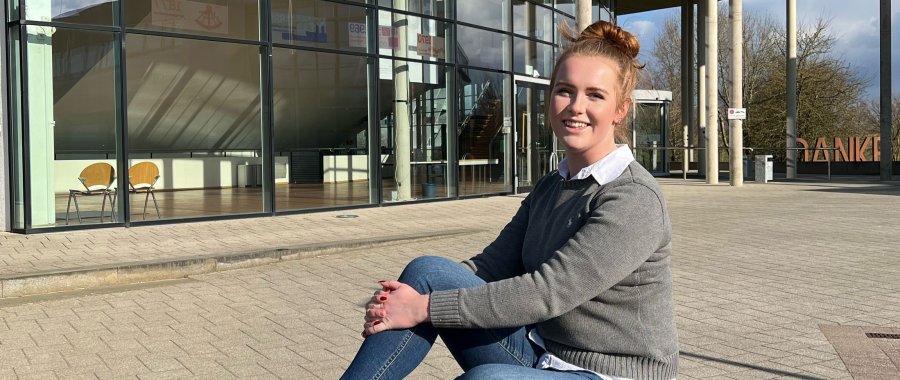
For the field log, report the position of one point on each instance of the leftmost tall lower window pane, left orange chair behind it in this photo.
(71, 104)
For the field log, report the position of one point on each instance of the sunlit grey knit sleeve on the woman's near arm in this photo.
(621, 233)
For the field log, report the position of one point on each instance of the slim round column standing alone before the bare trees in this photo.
(791, 122)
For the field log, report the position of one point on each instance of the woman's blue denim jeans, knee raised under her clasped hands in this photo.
(482, 353)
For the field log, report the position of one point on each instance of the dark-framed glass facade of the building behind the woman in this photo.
(125, 112)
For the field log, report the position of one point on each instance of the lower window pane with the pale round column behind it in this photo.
(413, 123)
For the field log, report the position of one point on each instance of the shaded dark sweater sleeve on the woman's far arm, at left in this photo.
(503, 257)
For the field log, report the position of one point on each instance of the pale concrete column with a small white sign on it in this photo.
(736, 150)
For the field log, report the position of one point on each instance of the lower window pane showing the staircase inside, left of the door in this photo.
(483, 141)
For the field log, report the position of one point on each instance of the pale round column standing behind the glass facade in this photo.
(402, 143)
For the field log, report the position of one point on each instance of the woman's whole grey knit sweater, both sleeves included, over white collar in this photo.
(589, 266)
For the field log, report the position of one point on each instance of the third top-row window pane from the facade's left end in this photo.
(319, 24)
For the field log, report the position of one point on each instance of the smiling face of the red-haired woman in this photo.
(584, 106)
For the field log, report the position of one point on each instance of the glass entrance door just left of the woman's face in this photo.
(535, 145)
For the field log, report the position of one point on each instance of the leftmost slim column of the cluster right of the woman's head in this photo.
(687, 80)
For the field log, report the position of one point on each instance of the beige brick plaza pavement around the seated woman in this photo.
(778, 280)
